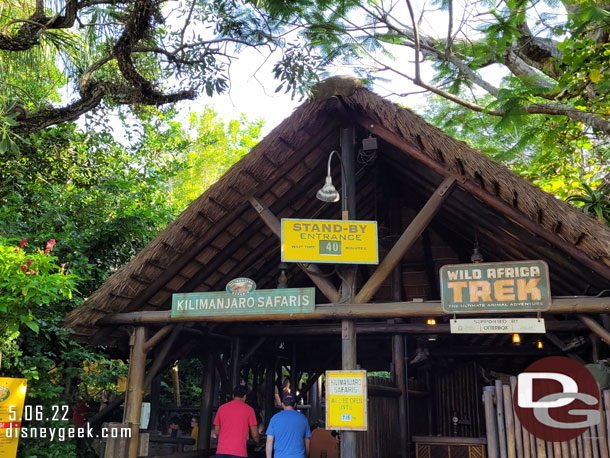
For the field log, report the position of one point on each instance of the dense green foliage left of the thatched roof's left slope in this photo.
(101, 202)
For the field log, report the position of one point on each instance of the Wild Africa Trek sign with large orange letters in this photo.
(495, 287)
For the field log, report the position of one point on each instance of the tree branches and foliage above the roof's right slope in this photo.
(551, 103)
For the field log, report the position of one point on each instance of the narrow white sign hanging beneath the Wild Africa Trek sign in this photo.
(497, 326)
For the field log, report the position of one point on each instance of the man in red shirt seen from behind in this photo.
(231, 425)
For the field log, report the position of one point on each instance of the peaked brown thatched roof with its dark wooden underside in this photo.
(219, 236)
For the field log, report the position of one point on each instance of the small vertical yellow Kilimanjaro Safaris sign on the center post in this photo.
(346, 399)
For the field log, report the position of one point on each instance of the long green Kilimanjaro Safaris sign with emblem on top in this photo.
(241, 299)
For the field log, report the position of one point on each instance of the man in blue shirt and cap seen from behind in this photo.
(288, 432)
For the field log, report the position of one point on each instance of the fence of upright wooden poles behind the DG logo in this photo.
(506, 438)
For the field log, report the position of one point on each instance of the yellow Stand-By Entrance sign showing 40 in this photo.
(331, 241)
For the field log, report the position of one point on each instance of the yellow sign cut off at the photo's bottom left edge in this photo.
(12, 398)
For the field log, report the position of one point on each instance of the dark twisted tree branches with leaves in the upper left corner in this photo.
(137, 53)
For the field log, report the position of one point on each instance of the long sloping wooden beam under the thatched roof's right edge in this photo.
(491, 200)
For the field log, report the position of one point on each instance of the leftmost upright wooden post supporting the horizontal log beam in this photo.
(135, 385)
